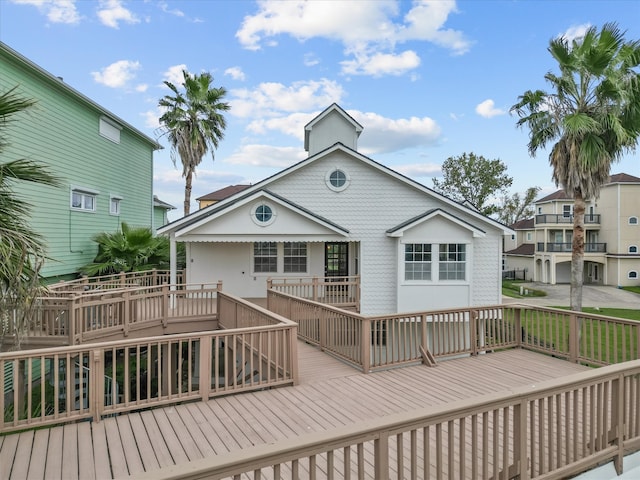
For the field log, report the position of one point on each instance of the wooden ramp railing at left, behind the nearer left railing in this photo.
(77, 318)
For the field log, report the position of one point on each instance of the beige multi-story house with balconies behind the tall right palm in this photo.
(542, 244)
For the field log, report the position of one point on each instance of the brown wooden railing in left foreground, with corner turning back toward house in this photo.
(57, 385)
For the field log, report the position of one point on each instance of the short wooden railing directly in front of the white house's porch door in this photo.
(342, 292)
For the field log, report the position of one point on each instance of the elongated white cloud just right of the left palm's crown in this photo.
(271, 98)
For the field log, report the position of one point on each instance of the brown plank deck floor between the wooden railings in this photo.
(330, 394)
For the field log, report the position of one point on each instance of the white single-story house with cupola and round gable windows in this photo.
(339, 212)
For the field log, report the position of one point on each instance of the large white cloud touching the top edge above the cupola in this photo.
(368, 29)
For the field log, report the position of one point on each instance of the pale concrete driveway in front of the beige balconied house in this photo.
(592, 296)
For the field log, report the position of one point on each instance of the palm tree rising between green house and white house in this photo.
(194, 123)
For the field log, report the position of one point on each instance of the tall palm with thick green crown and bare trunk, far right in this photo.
(592, 113)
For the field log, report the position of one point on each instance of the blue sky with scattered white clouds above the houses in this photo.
(426, 79)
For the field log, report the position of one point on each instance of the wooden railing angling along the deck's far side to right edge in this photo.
(374, 343)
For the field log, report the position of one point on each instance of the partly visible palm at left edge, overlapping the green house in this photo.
(22, 250)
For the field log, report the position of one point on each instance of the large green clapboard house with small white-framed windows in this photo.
(105, 165)
